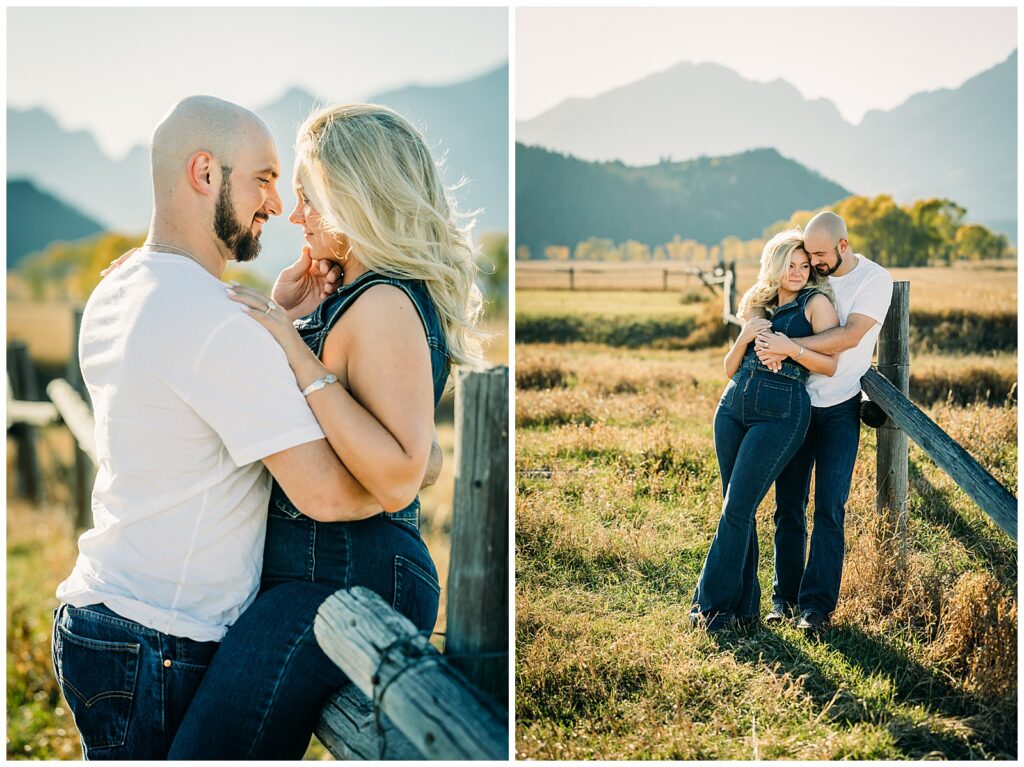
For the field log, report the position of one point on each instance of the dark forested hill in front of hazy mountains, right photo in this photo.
(562, 200)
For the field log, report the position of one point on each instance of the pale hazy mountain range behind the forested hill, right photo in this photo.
(959, 144)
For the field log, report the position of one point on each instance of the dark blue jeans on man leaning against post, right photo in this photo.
(831, 449)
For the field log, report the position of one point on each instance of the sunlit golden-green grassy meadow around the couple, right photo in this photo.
(618, 497)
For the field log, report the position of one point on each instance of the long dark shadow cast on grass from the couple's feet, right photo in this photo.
(913, 684)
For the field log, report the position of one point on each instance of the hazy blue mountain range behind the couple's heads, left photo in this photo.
(466, 124)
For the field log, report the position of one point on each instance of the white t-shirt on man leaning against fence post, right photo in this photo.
(867, 289)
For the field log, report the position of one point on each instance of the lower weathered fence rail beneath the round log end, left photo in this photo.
(351, 730)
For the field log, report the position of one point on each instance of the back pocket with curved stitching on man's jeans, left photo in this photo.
(99, 681)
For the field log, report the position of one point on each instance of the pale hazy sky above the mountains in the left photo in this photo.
(116, 71)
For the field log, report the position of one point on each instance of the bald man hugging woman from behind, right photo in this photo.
(864, 291)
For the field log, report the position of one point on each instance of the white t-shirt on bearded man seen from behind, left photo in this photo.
(189, 395)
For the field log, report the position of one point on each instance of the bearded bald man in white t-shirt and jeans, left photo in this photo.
(192, 400)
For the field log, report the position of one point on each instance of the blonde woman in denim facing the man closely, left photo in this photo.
(373, 360)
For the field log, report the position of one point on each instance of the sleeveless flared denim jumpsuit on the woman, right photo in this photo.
(759, 425)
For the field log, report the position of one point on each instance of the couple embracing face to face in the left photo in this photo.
(258, 455)
